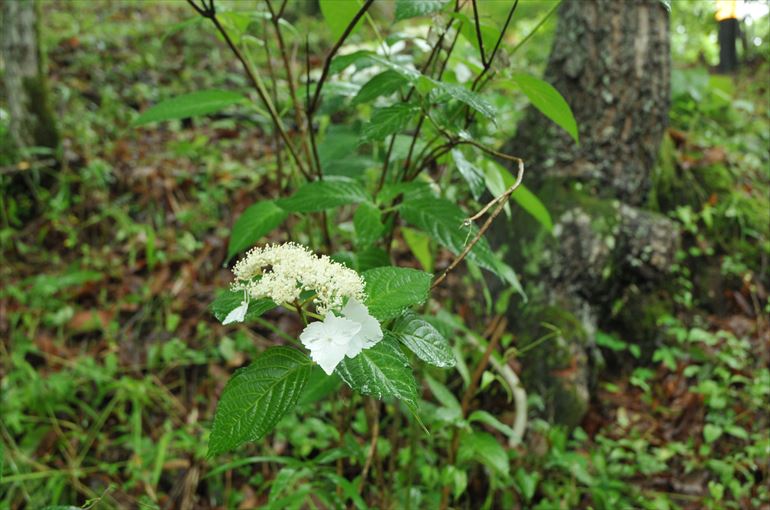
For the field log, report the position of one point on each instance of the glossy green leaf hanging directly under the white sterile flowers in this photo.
(381, 371)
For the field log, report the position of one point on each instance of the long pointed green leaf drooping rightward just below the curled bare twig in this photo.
(446, 223)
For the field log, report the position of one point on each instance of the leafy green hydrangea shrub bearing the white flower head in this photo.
(355, 306)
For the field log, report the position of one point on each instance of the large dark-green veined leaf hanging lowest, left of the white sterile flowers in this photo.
(256, 397)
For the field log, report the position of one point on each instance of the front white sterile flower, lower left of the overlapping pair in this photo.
(328, 341)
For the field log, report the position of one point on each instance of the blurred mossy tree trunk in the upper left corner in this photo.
(32, 120)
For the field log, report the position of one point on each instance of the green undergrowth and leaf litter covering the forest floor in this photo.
(112, 363)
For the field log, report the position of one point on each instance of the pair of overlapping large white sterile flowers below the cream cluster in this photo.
(336, 337)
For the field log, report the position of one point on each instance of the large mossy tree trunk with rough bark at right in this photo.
(611, 62)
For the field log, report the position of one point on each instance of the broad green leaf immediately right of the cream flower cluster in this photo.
(390, 290)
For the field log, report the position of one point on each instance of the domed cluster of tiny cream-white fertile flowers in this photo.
(289, 269)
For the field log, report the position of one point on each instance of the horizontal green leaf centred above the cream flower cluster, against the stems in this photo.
(327, 194)
